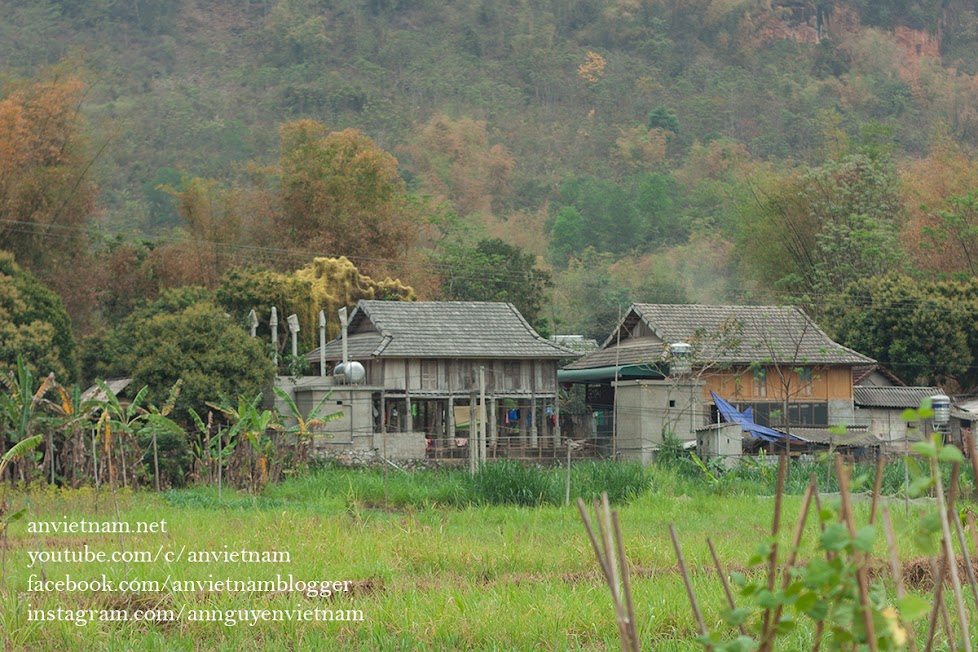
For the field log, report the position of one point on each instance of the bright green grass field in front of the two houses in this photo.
(431, 562)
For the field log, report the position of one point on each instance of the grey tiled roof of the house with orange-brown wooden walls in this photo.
(725, 335)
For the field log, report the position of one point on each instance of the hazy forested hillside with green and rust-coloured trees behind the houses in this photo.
(571, 156)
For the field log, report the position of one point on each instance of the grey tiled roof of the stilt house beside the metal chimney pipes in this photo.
(442, 329)
